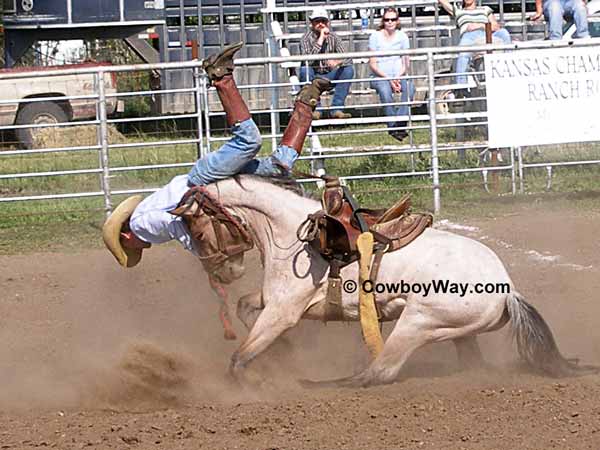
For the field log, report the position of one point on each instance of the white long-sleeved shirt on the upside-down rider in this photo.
(151, 221)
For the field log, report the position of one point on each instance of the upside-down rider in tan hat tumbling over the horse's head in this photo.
(136, 224)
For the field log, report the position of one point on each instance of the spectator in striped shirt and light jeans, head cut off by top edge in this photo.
(471, 20)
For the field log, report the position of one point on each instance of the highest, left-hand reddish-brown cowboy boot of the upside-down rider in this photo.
(219, 68)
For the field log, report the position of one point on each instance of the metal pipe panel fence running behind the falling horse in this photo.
(445, 131)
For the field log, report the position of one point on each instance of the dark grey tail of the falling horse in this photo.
(536, 343)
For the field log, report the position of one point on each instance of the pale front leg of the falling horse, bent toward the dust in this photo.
(278, 316)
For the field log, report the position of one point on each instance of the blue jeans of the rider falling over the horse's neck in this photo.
(238, 156)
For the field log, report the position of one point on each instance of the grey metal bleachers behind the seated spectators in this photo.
(284, 23)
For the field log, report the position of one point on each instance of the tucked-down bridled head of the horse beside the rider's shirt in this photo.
(217, 239)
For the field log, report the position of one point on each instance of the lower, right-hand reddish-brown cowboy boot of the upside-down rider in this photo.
(306, 102)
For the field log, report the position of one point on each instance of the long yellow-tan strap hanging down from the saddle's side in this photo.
(367, 311)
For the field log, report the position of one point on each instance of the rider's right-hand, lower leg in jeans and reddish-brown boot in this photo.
(290, 147)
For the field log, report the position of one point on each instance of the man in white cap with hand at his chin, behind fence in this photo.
(320, 39)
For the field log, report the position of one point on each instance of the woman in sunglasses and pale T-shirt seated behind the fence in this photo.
(389, 37)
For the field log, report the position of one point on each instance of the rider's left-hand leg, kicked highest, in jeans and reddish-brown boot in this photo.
(246, 140)
